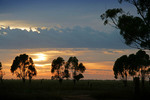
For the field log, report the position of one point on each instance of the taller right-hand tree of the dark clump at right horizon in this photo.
(139, 64)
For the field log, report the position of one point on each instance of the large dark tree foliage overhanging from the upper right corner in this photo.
(134, 29)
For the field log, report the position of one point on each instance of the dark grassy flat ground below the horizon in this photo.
(83, 90)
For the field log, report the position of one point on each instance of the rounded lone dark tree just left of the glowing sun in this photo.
(23, 67)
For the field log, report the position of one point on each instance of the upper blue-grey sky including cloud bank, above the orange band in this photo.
(58, 24)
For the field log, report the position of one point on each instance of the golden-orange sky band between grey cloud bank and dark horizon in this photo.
(98, 62)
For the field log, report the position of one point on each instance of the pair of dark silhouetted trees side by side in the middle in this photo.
(62, 69)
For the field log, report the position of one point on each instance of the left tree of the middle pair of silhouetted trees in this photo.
(58, 68)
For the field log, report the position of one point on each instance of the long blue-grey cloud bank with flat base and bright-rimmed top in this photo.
(58, 37)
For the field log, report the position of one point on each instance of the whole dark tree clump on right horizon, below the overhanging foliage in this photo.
(136, 65)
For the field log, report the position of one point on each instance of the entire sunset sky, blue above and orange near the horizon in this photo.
(46, 29)
